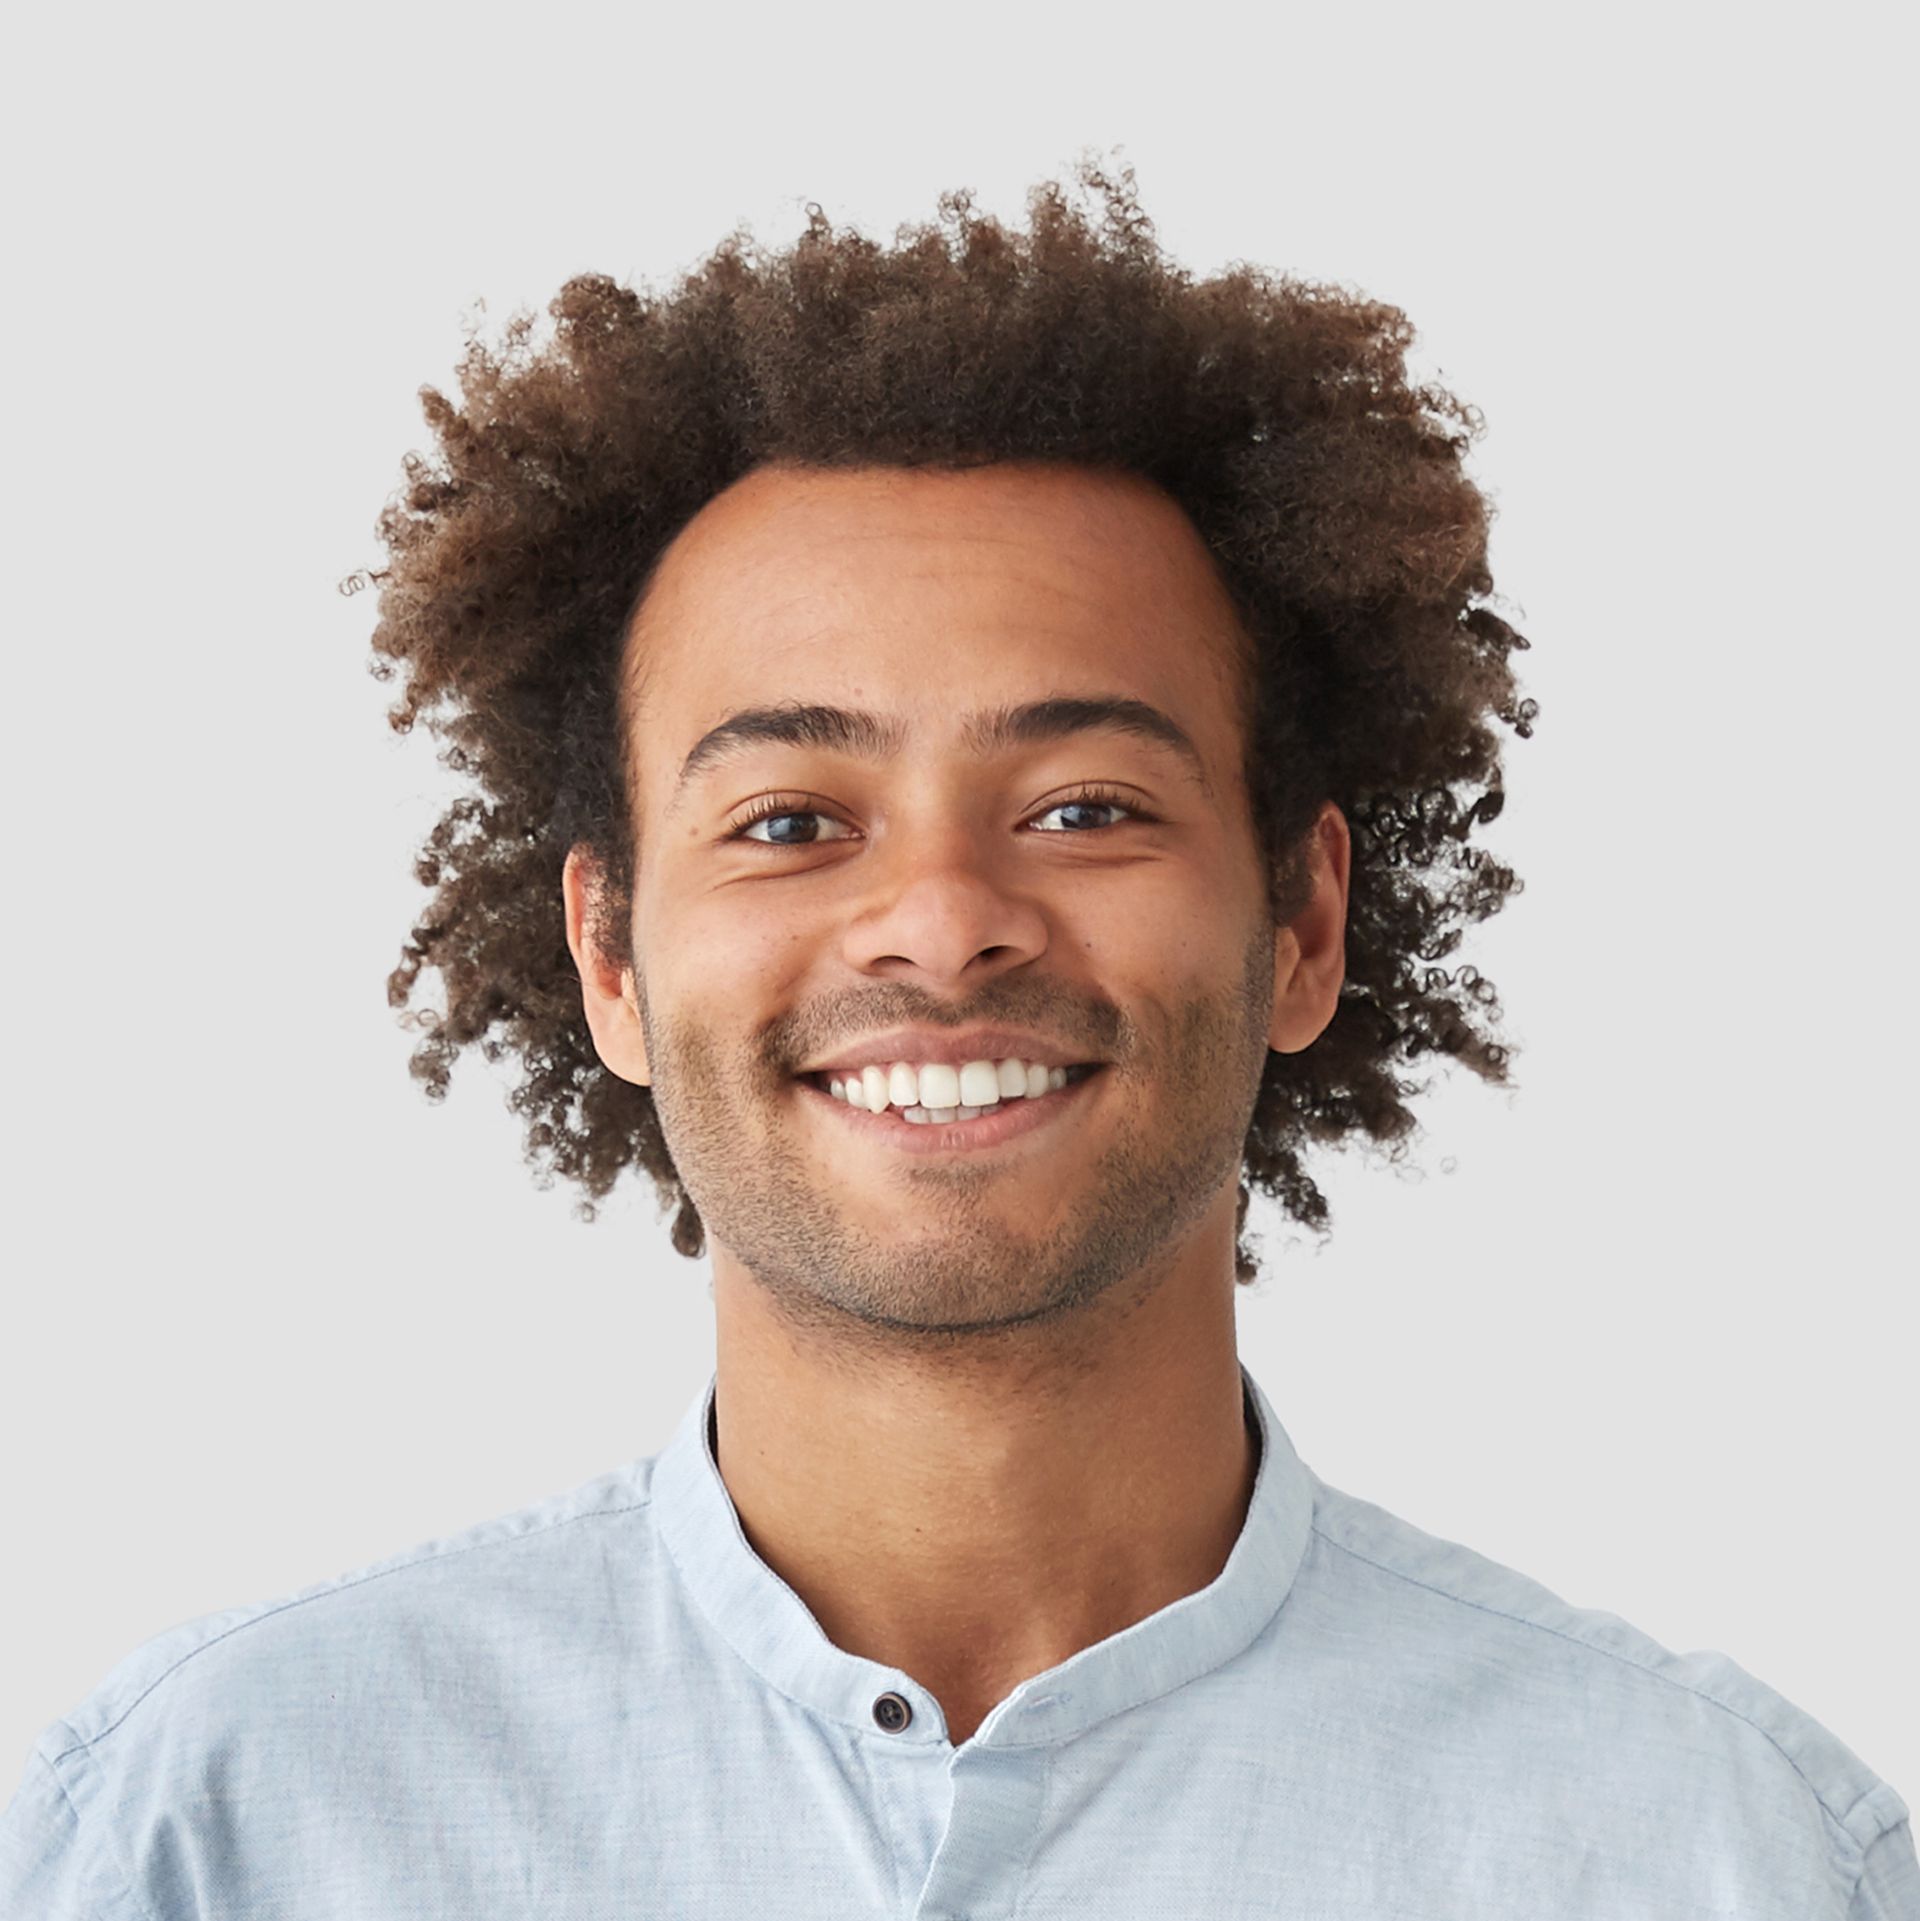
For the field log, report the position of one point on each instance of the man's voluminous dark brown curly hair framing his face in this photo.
(1277, 412)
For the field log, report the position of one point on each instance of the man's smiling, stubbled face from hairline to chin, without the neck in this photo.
(947, 888)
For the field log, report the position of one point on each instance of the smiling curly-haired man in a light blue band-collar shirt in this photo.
(998, 804)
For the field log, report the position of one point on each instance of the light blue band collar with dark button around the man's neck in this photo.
(777, 1636)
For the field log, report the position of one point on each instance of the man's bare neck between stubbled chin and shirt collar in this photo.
(977, 1524)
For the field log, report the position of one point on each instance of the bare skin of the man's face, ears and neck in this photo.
(977, 1411)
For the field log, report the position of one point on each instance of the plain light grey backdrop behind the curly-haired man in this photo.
(1640, 1326)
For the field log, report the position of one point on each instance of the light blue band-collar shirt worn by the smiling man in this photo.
(606, 1707)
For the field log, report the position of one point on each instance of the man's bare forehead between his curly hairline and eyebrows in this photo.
(929, 595)
